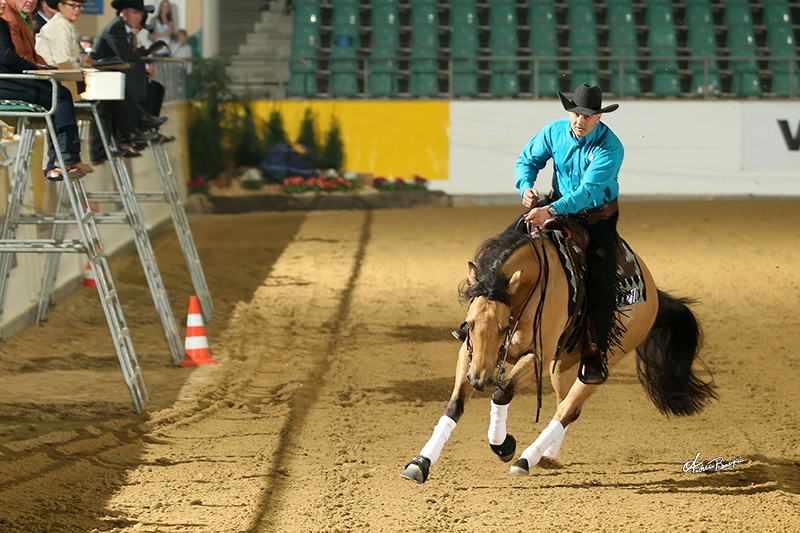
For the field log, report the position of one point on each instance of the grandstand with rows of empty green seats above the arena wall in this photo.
(531, 48)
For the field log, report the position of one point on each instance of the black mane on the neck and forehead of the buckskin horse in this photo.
(490, 257)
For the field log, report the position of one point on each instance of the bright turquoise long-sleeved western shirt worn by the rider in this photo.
(586, 169)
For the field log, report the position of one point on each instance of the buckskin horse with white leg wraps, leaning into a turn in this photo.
(526, 309)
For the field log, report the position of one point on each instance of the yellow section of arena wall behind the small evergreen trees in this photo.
(389, 139)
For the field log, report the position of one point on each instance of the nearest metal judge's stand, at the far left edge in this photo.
(27, 118)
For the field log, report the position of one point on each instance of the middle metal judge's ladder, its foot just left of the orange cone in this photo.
(132, 216)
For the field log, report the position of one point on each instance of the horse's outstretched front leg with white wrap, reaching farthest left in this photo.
(417, 470)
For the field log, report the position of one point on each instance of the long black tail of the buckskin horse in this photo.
(664, 360)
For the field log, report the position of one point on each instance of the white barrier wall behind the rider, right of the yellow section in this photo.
(725, 148)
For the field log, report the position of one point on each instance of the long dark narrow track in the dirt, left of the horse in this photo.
(302, 400)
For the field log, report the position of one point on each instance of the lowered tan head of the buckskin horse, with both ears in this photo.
(488, 324)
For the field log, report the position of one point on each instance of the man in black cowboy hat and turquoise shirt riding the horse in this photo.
(587, 157)
